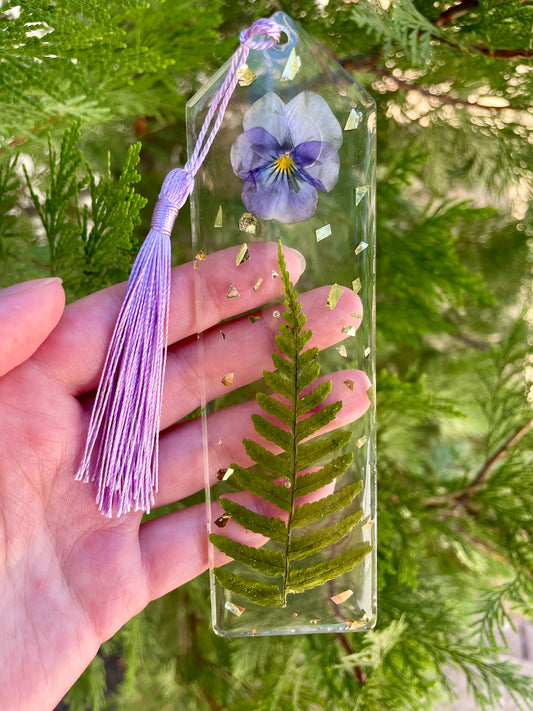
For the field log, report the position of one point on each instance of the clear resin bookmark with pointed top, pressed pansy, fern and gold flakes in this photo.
(287, 190)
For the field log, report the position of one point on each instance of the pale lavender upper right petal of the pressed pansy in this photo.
(310, 119)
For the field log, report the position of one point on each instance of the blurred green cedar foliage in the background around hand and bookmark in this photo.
(454, 86)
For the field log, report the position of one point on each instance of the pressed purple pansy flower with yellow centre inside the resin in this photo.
(286, 154)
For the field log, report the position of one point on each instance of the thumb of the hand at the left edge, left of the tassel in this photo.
(28, 313)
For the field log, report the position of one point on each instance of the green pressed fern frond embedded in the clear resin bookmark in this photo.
(280, 479)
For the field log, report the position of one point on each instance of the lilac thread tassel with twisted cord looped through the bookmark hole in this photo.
(121, 452)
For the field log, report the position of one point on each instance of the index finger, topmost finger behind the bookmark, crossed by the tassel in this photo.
(75, 352)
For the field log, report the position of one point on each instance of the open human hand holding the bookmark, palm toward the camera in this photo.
(69, 577)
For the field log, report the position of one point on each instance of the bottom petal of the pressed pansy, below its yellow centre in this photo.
(276, 201)
